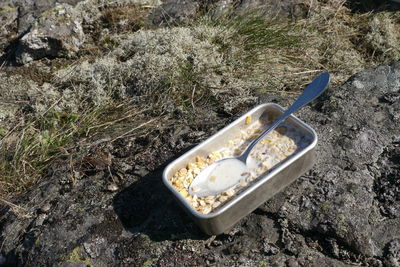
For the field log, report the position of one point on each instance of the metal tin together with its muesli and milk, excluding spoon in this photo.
(293, 156)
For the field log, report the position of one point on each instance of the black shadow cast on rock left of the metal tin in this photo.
(147, 207)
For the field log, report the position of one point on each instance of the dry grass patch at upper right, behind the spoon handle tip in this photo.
(286, 54)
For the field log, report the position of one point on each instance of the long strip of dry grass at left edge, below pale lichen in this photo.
(34, 143)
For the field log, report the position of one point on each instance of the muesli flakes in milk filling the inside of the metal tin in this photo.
(272, 150)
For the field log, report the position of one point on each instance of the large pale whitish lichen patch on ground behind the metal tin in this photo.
(161, 66)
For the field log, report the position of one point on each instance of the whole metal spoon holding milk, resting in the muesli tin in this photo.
(226, 173)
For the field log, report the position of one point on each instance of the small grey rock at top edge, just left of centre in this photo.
(174, 12)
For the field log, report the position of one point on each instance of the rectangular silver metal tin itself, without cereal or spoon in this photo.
(260, 190)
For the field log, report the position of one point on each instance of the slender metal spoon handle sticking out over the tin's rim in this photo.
(312, 91)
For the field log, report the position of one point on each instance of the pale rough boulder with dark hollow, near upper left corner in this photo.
(57, 33)
